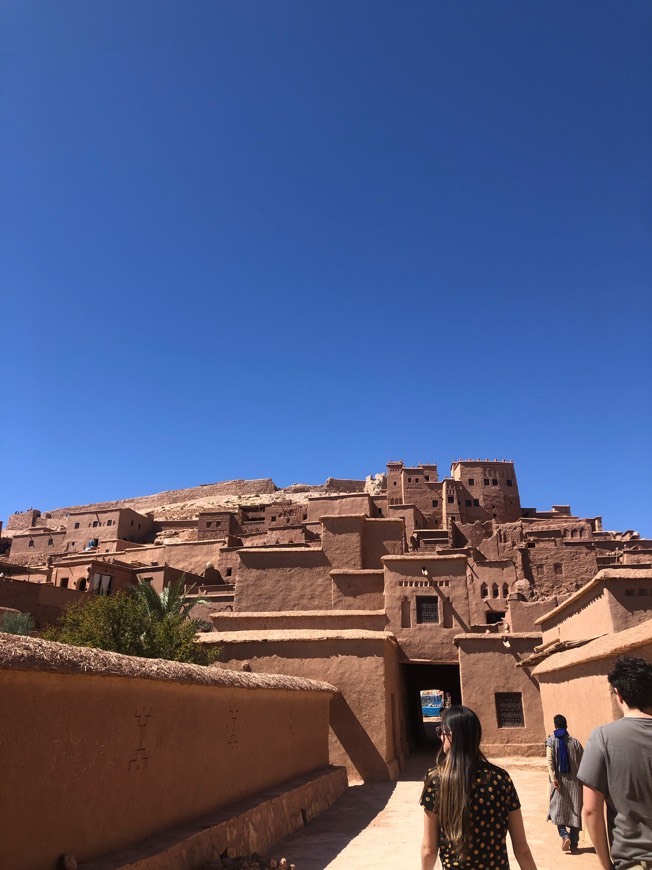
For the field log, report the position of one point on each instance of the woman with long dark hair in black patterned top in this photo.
(469, 804)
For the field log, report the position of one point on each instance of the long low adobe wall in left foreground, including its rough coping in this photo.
(159, 744)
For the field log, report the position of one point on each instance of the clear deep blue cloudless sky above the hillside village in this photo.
(297, 239)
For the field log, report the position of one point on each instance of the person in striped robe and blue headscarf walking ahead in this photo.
(563, 754)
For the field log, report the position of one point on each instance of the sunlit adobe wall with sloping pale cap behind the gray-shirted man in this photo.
(575, 683)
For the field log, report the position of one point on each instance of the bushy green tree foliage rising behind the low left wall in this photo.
(133, 623)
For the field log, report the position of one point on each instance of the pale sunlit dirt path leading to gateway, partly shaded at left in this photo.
(379, 825)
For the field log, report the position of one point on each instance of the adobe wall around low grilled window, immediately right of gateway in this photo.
(487, 667)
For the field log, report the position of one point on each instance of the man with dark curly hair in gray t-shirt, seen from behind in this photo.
(617, 767)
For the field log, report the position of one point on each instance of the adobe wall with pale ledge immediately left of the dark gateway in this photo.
(363, 667)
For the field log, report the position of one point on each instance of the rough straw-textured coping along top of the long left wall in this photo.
(19, 653)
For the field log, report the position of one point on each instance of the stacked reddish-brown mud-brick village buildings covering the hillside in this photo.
(384, 587)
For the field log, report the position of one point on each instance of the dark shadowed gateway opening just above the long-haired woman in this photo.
(418, 677)
